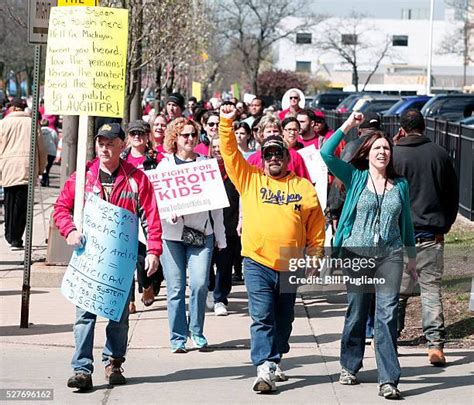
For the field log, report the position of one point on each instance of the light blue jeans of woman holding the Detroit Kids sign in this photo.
(176, 258)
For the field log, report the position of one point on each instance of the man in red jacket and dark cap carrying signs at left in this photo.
(121, 184)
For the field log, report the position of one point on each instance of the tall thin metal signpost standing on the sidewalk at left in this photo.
(25, 291)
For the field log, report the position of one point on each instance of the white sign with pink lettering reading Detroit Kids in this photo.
(187, 189)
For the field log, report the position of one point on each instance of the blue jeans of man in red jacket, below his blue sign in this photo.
(115, 344)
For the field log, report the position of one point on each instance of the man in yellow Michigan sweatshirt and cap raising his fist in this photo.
(282, 219)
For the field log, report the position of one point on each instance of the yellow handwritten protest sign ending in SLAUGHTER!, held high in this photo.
(86, 61)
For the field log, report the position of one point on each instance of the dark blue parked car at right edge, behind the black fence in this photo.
(450, 107)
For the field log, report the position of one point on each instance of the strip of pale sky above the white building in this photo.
(378, 8)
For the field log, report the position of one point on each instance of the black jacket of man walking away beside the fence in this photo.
(434, 190)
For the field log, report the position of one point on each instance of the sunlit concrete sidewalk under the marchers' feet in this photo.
(38, 357)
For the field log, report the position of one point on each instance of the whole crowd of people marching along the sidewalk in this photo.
(392, 200)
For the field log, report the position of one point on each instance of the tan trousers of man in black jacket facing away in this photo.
(429, 266)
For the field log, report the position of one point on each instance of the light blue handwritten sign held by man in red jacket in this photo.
(99, 276)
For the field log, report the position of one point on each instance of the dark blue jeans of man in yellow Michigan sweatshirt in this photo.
(272, 313)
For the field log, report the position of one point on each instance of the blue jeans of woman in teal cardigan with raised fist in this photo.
(385, 330)
